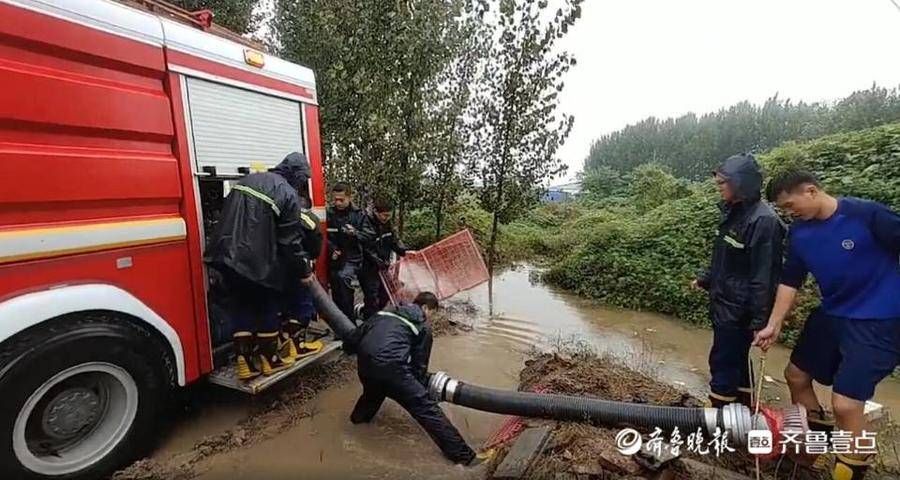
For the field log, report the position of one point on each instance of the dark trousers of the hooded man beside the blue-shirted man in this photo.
(728, 361)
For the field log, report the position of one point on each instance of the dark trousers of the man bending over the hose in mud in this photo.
(400, 385)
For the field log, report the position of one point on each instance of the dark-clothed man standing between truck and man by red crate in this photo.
(349, 233)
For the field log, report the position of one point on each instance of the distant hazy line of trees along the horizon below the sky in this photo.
(692, 146)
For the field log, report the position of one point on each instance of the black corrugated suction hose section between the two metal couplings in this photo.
(579, 409)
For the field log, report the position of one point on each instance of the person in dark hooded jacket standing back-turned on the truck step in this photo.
(258, 248)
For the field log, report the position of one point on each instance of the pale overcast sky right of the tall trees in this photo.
(638, 58)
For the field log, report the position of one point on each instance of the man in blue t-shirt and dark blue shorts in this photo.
(852, 341)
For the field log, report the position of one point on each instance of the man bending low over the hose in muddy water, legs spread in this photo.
(393, 349)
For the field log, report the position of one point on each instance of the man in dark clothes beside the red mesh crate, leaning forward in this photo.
(378, 257)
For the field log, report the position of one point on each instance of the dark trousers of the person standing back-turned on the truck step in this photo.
(251, 306)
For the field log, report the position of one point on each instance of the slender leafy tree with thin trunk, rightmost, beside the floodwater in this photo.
(519, 129)
